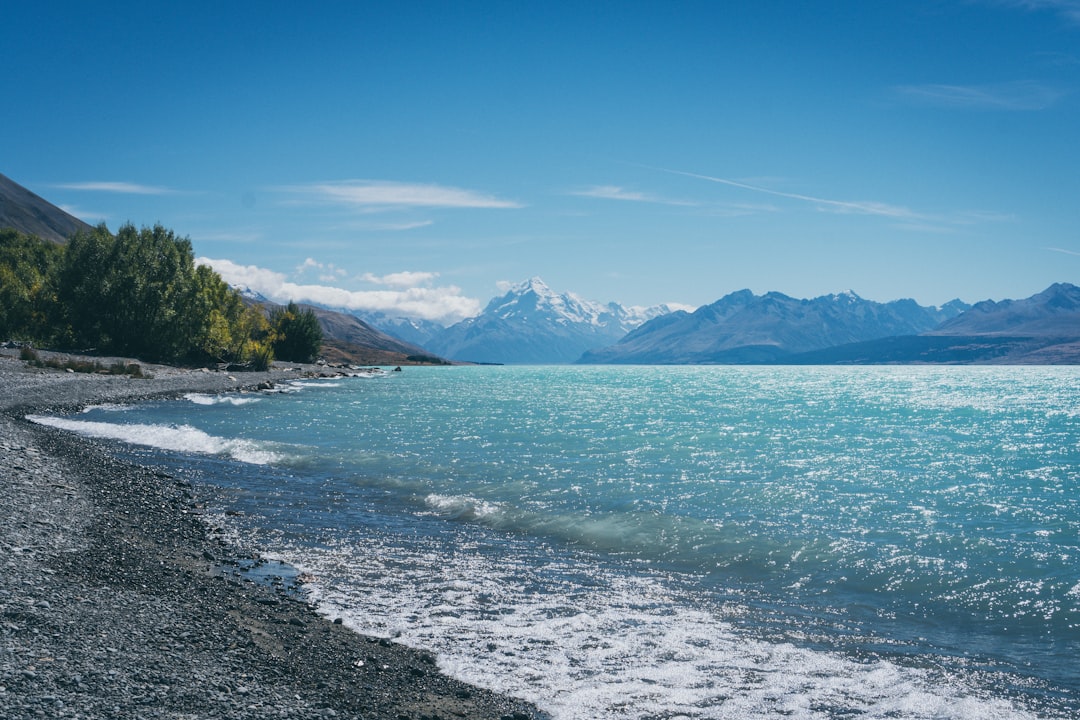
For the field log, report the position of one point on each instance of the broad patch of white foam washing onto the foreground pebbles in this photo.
(614, 647)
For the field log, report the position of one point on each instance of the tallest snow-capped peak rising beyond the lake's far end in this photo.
(533, 324)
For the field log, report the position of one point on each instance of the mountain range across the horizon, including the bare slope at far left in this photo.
(531, 323)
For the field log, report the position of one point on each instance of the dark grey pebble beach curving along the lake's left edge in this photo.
(119, 600)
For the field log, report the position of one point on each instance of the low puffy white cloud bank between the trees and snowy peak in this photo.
(443, 305)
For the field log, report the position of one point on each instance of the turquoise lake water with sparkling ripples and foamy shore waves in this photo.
(703, 542)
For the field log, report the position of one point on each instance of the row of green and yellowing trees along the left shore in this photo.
(139, 293)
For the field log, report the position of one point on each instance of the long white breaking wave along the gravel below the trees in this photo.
(183, 439)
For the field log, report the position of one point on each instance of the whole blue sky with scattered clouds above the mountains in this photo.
(416, 157)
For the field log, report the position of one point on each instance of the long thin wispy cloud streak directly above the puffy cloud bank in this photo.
(387, 195)
